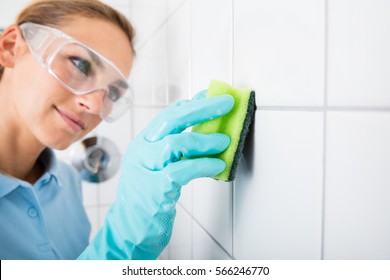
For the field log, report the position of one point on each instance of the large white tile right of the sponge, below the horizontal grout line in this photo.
(278, 190)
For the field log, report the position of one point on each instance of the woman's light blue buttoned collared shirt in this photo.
(46, 220)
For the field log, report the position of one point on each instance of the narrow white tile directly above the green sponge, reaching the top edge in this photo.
(212, 43)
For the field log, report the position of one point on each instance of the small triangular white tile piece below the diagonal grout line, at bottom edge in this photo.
(204, 247)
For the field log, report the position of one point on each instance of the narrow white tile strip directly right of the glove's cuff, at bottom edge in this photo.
(180, 245)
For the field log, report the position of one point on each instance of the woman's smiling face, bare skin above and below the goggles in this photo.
(54, 115)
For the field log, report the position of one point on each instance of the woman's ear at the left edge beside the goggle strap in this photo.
(8, 44)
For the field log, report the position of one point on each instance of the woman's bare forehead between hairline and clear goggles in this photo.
(104, 37)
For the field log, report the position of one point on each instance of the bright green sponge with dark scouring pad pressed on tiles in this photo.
(235, 124)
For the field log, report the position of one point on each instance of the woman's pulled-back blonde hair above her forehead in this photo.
(57, 13)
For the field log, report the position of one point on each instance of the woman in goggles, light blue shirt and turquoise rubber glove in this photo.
(64, 69)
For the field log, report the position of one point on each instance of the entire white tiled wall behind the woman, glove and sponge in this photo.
(314, 182)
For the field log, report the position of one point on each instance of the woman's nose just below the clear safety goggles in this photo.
(91, 102)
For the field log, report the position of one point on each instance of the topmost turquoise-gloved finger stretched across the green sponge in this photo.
(176, 118)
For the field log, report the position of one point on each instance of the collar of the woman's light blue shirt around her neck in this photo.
(49, 161)
